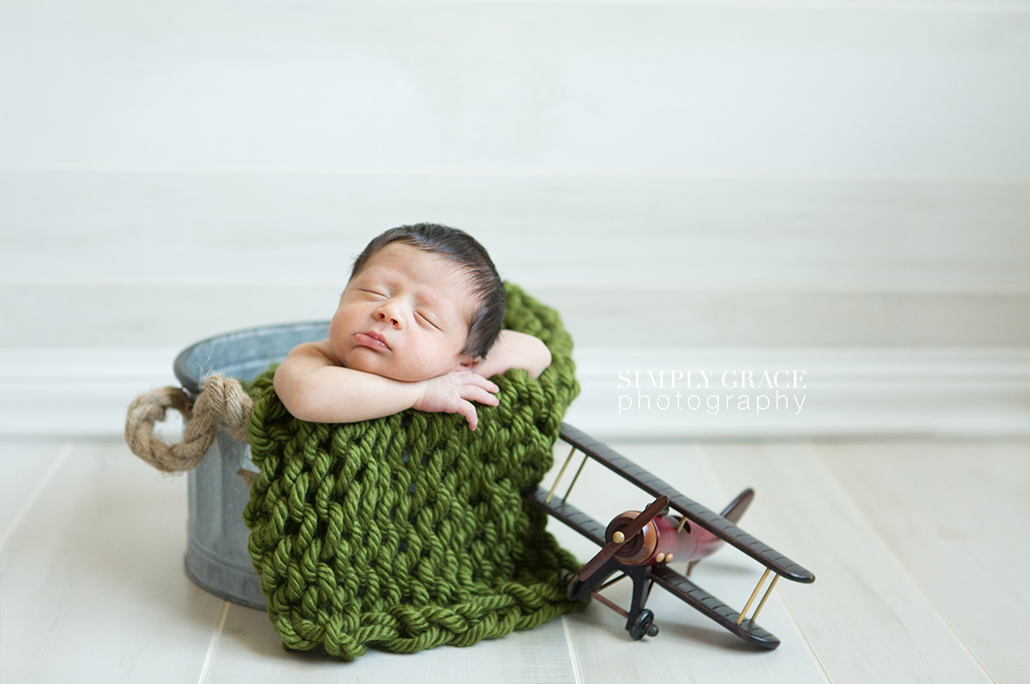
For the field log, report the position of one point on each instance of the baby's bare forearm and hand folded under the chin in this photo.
(314, 388)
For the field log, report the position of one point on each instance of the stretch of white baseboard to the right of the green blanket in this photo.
(846, 393)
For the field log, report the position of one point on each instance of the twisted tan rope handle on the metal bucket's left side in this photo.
(221, 397)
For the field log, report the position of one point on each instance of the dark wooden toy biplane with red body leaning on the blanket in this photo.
(641, 545)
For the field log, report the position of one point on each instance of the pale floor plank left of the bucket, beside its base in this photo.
(92, 588)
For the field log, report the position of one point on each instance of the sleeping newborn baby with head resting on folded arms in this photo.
(419, 327)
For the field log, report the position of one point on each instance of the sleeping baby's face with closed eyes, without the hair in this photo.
(404, 317)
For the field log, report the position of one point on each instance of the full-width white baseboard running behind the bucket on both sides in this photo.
(847, 392)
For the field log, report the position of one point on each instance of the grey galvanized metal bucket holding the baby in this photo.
(217, 556)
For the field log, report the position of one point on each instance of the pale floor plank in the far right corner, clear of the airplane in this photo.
(956, 515)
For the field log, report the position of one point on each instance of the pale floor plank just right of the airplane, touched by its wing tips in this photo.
(864, 618)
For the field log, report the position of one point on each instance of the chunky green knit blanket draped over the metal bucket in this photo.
(409, 532)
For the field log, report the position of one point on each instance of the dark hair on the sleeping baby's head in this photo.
(472, 258)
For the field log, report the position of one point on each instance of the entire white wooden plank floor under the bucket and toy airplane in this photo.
(919, 549)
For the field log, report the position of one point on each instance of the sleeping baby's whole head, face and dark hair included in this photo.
(421, 299)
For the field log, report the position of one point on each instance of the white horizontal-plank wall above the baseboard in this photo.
(678, 176)
